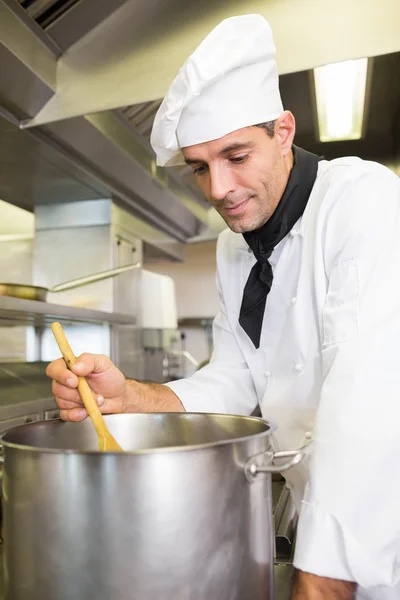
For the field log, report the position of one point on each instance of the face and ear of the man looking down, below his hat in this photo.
(244, 174)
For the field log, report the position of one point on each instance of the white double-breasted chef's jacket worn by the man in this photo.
(329, 364)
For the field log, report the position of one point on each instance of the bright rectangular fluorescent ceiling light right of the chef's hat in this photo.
(340, 92)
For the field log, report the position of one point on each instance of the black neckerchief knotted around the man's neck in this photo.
(262, 241)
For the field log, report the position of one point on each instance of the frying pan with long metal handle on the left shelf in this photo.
(34, 292)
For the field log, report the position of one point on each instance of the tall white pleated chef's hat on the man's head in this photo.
(229, 82)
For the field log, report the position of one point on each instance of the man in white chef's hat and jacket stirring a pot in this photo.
(309, 320)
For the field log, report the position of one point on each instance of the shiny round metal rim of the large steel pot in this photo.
(144, 451)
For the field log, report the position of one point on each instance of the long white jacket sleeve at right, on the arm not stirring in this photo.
(349, 526)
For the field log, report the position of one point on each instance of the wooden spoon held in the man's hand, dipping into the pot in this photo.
(106, 440)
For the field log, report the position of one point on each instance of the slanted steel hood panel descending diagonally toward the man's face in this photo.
(104, 139)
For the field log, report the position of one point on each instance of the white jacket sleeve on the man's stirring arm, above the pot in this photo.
(225, 385)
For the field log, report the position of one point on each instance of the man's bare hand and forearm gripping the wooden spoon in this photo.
(114, 393)
